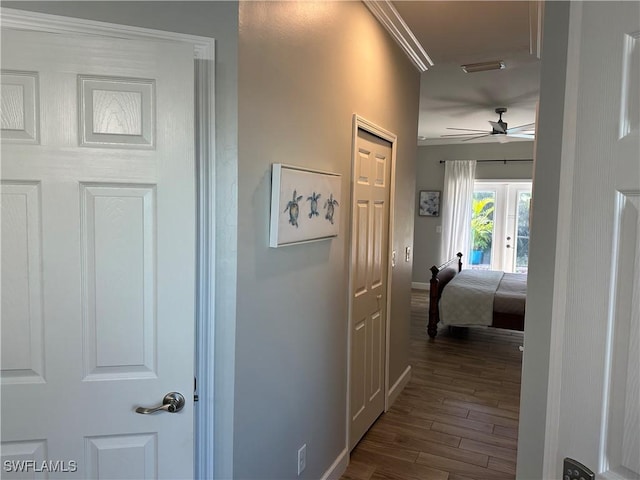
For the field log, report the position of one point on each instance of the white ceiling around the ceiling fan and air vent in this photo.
(460, 32)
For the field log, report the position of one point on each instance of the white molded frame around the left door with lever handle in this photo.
(204, 96)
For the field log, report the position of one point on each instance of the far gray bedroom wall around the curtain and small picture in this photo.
(430, 176)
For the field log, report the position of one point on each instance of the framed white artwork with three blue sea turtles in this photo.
(305, 205)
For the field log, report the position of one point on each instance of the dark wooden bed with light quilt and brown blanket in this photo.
(464, 298)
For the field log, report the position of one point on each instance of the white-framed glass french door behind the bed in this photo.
(500, 226)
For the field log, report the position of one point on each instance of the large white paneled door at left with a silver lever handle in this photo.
(98, 249)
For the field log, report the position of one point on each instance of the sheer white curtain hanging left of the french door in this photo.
(459, 176)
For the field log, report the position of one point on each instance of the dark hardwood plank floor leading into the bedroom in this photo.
(457, 419)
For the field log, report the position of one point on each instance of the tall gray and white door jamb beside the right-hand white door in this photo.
(555, 154)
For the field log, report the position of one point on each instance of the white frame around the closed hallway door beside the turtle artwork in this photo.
(360, 122)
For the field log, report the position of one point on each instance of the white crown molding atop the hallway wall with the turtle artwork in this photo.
(391, 20)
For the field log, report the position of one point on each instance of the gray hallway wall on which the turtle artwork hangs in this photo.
(304, 70)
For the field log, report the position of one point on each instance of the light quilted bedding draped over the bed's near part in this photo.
(468, 298)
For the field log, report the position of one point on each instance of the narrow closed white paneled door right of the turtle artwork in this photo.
(369, 266)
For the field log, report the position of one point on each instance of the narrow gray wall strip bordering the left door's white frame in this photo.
(218, 20)
